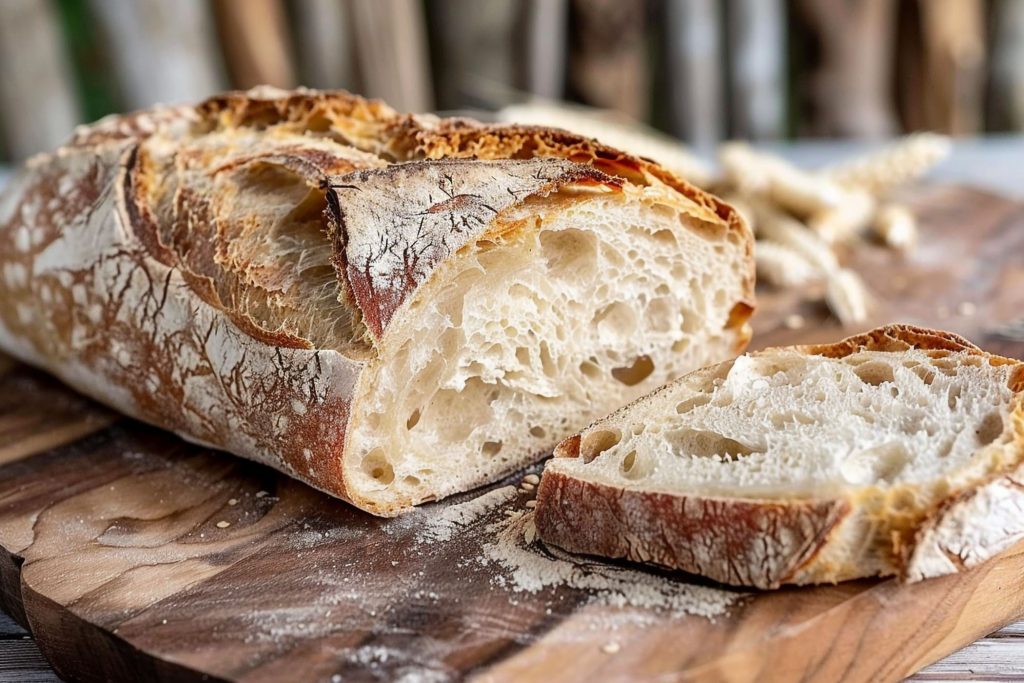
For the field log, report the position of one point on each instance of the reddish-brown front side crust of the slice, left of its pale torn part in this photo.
(733, 541)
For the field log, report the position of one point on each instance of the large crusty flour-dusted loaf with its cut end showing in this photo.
(391, 308)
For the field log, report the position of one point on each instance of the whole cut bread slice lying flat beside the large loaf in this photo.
(897, 452)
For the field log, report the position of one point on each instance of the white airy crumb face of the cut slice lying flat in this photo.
(785, 424)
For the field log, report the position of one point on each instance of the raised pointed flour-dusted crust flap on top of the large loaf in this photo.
(382, 275)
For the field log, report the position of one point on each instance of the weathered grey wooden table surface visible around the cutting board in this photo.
(989, 163)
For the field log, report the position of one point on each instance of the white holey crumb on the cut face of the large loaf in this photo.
(519, 340)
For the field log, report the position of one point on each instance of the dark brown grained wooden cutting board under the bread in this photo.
(132, 556)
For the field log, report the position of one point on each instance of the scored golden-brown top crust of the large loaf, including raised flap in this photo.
(207, 181)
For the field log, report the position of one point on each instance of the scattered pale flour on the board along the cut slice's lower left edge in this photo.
(531, 568)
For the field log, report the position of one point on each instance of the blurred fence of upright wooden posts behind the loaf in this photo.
(703, 70)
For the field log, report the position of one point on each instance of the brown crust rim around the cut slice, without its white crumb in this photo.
(769, 543)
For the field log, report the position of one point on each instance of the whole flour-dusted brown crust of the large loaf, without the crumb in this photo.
(111, 270)
